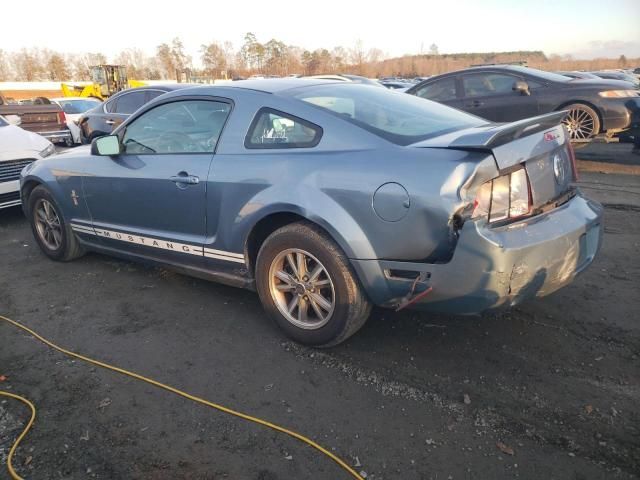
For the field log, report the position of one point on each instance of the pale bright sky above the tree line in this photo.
(584, 28)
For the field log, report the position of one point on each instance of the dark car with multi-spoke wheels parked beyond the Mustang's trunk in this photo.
(502, 93)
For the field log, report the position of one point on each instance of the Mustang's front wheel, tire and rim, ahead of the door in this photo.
(53, 234)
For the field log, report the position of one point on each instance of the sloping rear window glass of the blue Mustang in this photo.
(397, 117)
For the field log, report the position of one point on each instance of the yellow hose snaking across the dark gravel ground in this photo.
(155, 383)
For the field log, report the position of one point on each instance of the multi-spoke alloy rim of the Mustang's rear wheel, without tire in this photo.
(301, 289)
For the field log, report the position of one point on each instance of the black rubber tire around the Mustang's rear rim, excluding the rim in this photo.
(334, 264)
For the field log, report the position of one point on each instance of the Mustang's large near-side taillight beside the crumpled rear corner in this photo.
(503, 198)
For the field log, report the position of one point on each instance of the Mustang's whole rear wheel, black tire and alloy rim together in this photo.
(307, 286)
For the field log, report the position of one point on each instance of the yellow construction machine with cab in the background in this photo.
(106, 80)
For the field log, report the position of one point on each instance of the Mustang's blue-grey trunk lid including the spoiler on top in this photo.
(540, 144)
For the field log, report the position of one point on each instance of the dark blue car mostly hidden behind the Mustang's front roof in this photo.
(104, 118)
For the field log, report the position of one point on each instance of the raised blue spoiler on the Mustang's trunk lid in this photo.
(498, 135)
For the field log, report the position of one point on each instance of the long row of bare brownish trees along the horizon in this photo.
(274, 57)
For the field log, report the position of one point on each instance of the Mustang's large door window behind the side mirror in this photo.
(187, 126)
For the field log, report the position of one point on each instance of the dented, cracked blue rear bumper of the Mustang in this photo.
(496, 267)
